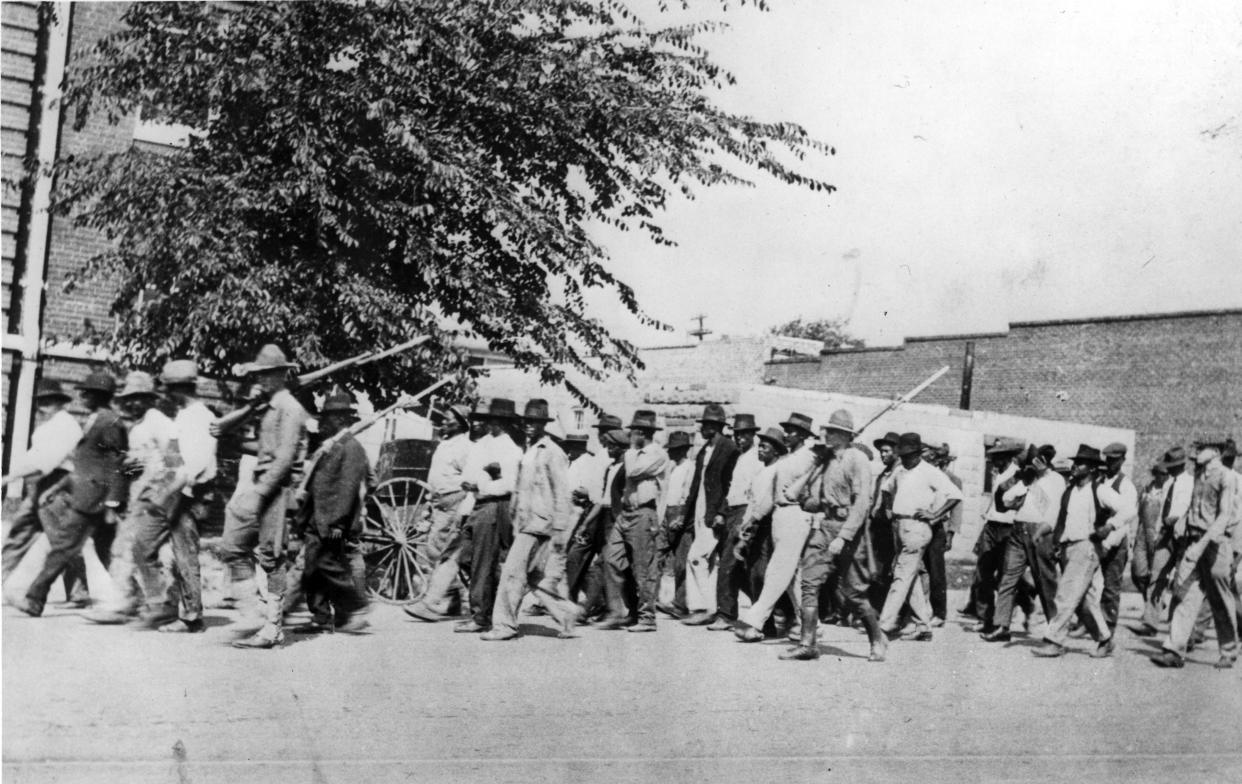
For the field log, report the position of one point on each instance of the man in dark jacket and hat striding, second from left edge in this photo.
(99, 491)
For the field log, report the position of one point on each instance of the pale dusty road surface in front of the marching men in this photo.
(415, 703)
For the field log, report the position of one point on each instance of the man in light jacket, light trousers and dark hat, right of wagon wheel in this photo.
(542, 515)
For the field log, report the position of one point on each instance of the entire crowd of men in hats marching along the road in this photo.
(809, 525)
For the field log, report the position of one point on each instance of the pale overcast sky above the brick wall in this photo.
(995, 162)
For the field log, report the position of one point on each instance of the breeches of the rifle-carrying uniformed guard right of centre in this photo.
(853, 580)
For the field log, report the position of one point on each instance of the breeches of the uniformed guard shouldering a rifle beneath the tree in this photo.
(258, 535)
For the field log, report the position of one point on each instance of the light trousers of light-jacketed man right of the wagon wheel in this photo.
(533, 565)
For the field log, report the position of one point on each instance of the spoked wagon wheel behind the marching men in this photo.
(394, 541)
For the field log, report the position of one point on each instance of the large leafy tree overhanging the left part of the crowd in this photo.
(365, 172)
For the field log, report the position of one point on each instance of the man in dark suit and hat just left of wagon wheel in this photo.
(332, 515)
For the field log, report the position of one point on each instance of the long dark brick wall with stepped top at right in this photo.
(1169, 378)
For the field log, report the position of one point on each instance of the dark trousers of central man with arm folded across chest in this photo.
(630, 555)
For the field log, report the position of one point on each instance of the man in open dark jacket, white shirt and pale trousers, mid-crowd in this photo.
(706, 510)
